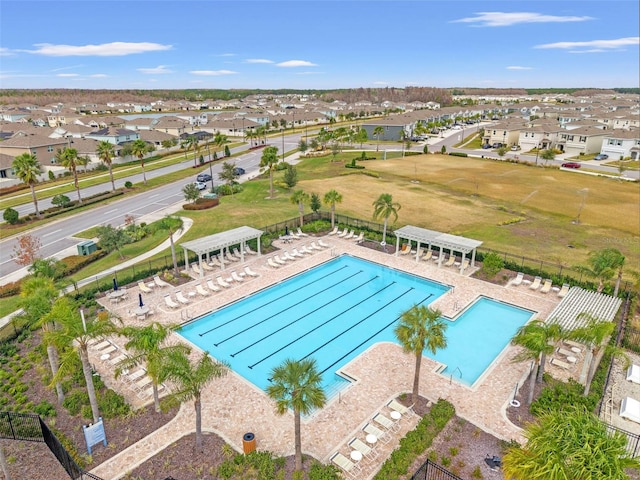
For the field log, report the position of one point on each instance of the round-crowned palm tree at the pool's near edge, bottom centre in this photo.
(297, 385)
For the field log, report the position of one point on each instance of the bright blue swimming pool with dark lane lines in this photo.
(333, 312)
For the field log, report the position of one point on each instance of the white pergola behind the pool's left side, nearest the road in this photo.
(219, 241)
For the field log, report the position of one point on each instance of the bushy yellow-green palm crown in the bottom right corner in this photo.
(569, 444)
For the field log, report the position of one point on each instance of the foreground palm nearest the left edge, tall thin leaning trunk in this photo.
(37, 295)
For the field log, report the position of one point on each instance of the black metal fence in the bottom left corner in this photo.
(30, 427)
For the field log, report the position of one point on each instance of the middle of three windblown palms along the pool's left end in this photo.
(146, 343)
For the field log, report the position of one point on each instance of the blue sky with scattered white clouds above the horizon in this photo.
(318, 44)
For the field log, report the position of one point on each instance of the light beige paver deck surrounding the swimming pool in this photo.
(232, 406)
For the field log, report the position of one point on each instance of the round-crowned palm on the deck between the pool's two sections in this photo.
(420, 327)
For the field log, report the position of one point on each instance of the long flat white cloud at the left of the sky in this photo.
(114, 49)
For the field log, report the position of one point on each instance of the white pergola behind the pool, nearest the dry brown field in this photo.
(443, 241)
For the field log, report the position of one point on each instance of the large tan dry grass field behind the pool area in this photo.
(479, 198)
